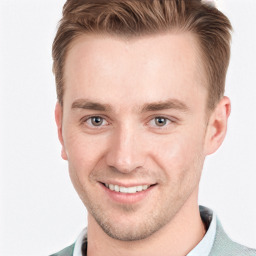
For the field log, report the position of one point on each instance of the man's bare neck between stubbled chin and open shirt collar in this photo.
(177, 238)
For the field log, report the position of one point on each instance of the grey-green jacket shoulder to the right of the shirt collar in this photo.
(224, 246)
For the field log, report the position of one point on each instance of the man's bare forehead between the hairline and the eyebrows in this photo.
(150, 68)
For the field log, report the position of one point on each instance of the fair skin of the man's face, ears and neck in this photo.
(150, 96)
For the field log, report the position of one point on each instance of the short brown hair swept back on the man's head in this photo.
(134, 18)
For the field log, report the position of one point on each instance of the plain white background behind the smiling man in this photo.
(40, 212)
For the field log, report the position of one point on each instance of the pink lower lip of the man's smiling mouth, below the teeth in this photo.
(127, 198)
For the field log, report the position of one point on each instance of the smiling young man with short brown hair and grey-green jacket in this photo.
(141, 103)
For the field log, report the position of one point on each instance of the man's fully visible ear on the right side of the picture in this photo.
(217, 126)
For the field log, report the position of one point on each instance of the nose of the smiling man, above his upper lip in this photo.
(125, 152)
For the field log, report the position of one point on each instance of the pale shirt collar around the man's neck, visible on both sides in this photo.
(202, 249)
